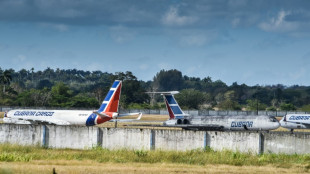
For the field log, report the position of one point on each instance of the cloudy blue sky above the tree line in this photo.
(265, 42)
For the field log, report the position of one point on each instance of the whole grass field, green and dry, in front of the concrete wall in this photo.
(28, 159)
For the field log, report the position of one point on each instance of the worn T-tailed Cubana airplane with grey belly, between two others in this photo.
(177, 118)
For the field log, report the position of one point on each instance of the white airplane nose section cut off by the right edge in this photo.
(296, 121)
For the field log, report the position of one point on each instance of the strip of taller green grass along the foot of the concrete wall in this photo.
(16, 153)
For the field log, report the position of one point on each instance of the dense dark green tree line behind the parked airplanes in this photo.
(74, 88)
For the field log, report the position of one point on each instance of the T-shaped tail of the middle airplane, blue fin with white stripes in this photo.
(174, 110)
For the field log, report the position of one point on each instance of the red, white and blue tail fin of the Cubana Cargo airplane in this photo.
(111, 101)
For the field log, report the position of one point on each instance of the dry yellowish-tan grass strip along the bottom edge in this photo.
(76, 167)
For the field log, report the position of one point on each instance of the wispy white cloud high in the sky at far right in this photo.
(279, 24)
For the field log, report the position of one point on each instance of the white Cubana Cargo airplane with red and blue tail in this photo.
(107, 111)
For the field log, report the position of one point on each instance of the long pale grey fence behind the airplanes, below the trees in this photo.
(165, 112)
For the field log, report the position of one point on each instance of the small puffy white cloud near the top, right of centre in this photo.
(172, 18)
